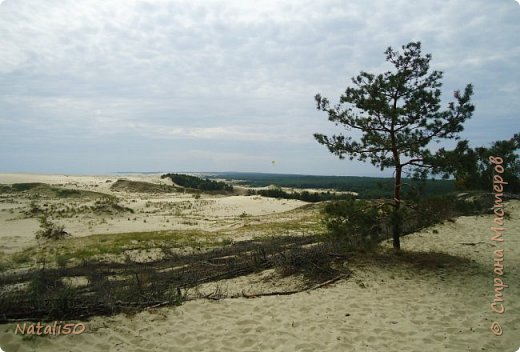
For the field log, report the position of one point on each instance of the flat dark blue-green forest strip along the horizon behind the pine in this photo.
(366, 187)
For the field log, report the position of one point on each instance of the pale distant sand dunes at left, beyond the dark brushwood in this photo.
(152, 212)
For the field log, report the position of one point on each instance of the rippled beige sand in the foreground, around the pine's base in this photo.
(384, 306)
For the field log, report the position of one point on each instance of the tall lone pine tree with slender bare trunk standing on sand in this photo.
(398, 114)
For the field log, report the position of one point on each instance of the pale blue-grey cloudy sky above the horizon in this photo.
(95, 87)
